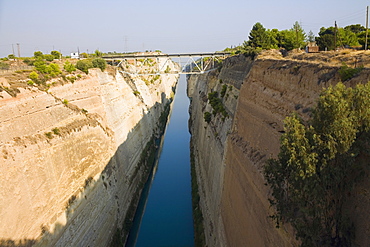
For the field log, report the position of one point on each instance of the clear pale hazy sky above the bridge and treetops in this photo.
(170, 26)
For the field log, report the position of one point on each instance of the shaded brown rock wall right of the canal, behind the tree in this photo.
(229, 155)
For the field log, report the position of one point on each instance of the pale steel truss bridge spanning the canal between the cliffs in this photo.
(158, 64)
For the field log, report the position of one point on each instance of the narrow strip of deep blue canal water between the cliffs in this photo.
(167, 218)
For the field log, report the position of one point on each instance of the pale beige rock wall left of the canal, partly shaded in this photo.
(73, 158)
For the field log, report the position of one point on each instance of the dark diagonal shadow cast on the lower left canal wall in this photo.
(119, 185)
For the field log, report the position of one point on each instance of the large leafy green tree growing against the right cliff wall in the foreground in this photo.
(319, 164)
